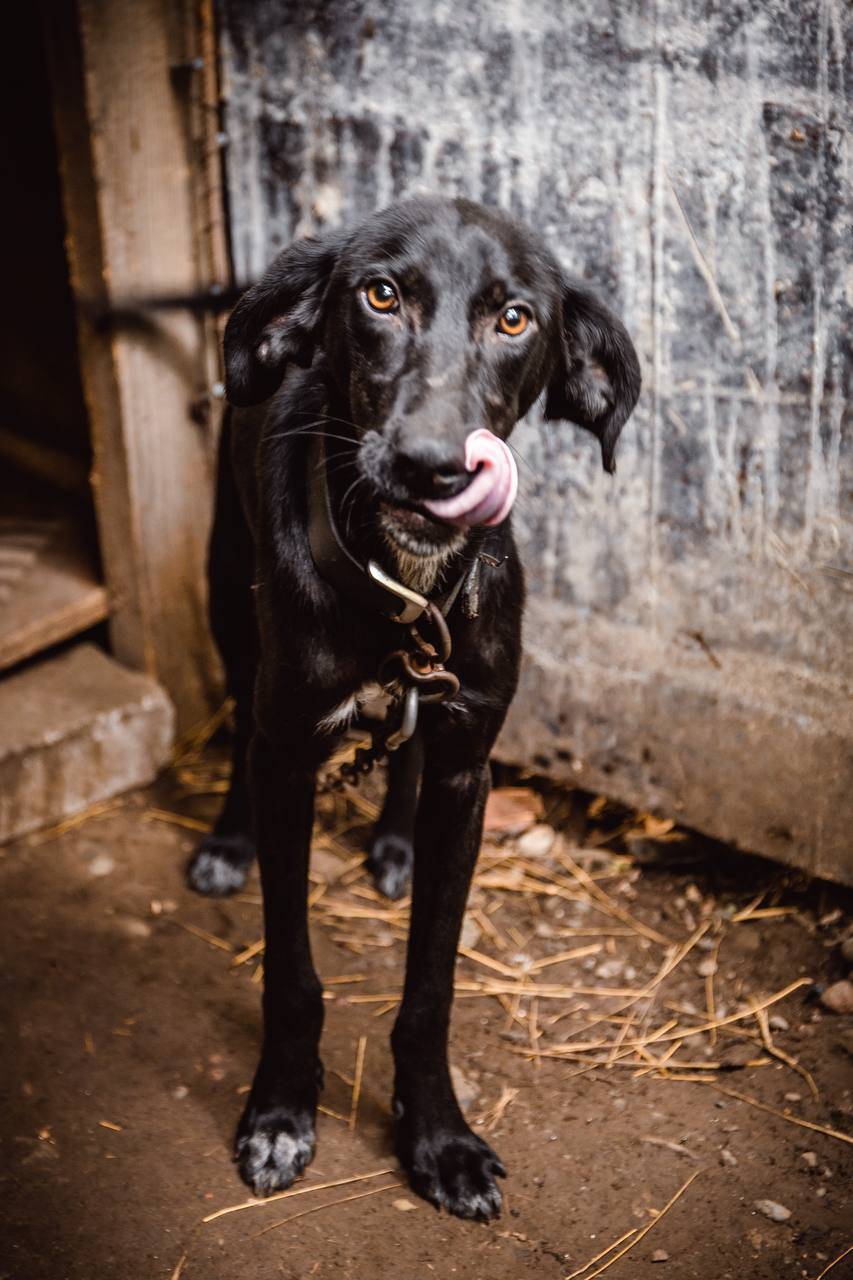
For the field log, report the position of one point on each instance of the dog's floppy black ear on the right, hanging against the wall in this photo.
(597, 378)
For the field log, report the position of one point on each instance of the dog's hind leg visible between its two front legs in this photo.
(393, 851)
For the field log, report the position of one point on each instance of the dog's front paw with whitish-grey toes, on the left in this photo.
(273, 1148)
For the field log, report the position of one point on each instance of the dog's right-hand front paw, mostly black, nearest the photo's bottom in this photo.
(455, 1171)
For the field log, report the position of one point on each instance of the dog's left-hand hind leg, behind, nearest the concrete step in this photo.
(223, 858)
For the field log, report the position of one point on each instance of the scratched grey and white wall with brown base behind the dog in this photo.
(688, 643)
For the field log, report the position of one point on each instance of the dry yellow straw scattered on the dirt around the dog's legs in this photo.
(553, 943)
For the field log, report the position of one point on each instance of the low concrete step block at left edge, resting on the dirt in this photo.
(75, 730)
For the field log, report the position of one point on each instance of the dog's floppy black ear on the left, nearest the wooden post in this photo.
(279, 321)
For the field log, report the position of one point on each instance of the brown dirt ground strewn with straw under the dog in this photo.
(131, 1037)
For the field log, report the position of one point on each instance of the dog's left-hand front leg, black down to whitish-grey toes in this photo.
(276, 1135)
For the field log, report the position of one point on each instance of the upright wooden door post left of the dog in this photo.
(124, 84)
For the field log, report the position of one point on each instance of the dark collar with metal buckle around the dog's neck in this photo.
(336, 564)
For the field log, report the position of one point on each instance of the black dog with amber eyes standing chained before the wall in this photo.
(431, 321)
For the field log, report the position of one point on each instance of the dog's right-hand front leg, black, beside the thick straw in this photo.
(448, 1163)
